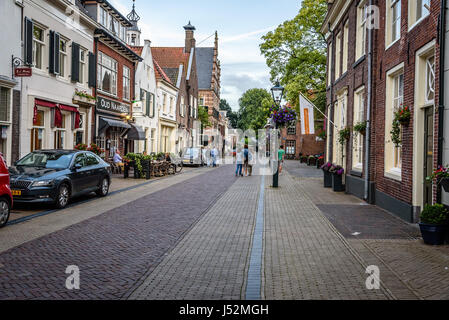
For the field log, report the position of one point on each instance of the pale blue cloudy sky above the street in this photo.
(240, 26)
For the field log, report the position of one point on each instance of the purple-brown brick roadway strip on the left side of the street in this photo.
(112, 250)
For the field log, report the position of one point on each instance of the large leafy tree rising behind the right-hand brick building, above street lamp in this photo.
(296, 54)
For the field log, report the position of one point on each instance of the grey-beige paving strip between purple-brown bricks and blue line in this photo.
(211, 262)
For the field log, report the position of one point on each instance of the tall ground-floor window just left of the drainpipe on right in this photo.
(358, 117)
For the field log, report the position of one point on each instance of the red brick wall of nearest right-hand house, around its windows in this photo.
(402, 51)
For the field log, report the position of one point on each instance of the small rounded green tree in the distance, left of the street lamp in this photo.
(254, 109)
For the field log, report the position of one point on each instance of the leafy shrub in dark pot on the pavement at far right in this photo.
(434, 224)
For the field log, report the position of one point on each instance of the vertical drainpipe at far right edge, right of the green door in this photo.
(441, 90)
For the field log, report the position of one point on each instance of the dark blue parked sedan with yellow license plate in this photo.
(56, 176)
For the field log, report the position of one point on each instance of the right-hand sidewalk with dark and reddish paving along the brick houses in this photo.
(409, 268)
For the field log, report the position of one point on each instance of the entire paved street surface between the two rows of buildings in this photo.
(197, 236)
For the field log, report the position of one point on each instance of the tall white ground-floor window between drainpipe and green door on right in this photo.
(394, 100)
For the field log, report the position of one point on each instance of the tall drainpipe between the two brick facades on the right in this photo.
(368, 110)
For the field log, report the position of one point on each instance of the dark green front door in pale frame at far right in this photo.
(428, 154)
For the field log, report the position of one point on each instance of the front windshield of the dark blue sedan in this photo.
(46, 160)
